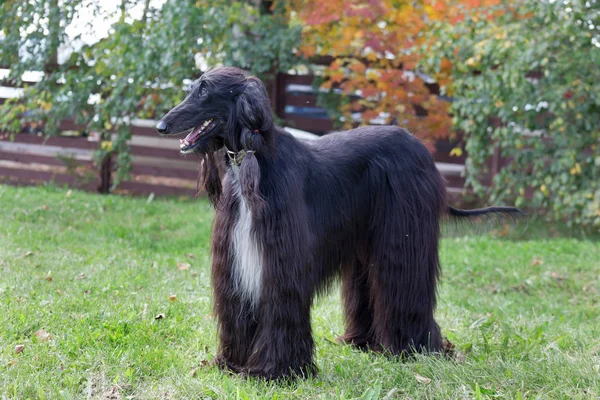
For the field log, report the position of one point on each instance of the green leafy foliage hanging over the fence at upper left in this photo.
(139, 68)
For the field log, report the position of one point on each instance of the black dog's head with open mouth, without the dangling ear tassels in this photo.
(224, 107)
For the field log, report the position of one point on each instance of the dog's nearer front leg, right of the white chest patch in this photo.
(283, 344)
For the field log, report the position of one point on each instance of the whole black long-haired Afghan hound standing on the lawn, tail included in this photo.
(292, 215)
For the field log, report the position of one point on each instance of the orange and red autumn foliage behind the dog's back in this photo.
(372, 43)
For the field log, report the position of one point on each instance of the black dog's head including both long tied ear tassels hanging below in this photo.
(225, 107)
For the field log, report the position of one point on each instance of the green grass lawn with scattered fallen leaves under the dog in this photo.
(94, 271)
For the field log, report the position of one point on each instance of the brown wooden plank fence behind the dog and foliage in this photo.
(157, 167)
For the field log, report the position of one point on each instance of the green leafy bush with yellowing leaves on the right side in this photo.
(526, 80)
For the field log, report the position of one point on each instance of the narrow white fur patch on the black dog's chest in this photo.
(247, 251)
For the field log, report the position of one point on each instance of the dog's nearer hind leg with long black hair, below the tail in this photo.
(404, 266)
